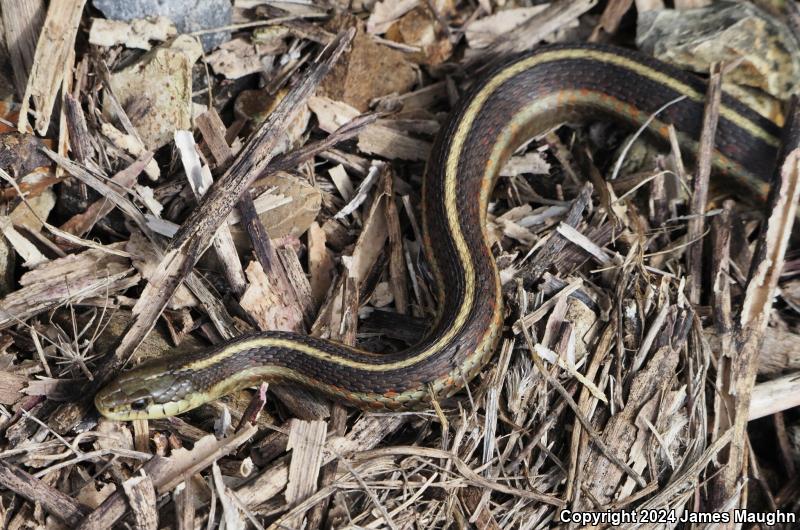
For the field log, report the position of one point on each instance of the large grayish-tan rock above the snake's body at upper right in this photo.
(725, 31)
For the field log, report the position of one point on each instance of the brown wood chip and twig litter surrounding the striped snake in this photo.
(171, 196)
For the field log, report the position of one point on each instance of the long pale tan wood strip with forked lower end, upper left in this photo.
(55, 45)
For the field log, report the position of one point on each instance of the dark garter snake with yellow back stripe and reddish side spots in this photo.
(520, 99)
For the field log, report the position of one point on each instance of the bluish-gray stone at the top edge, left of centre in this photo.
(188, 15)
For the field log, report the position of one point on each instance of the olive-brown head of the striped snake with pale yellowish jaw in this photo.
(149, 392)
